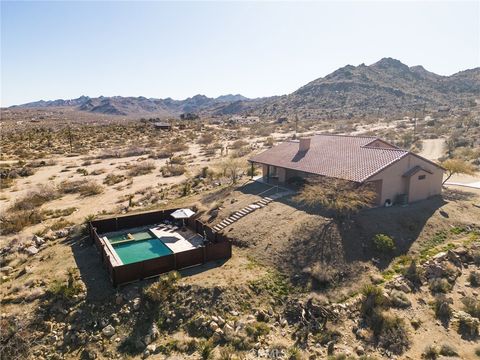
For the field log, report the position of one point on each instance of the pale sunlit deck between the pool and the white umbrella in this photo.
(178, 240)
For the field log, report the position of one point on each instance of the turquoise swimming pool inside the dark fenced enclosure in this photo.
(139, 250)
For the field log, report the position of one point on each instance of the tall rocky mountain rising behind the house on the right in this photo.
(385, 87)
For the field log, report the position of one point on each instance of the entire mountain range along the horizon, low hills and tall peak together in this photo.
(385, 87)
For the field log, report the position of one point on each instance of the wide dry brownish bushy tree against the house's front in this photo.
(340, 196)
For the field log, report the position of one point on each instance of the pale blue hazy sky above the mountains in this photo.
(66, 49)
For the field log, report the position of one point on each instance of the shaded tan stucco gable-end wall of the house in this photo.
(395, 184)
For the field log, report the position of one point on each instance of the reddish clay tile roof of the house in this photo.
(339, 156)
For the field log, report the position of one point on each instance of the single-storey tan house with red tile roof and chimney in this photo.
(398, 175)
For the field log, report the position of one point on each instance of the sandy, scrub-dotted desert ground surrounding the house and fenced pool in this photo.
(288, 260)
